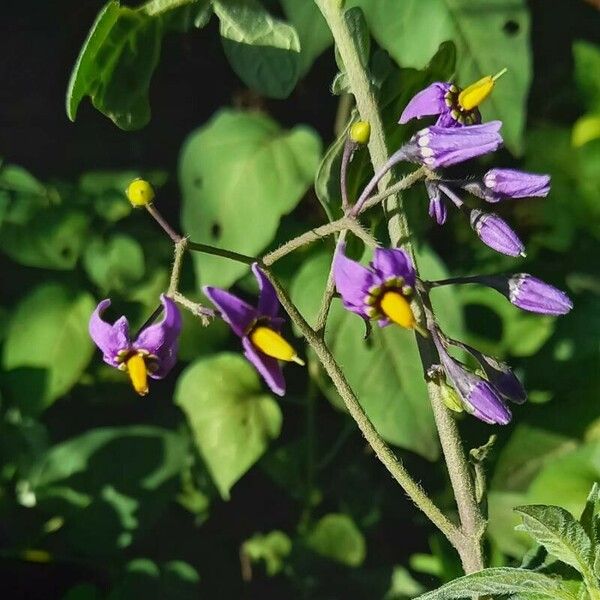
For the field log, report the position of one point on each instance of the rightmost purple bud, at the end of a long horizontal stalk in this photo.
(534, 295)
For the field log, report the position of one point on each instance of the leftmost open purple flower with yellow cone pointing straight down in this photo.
(153, 352)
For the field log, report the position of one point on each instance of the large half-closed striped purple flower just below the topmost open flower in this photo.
(437, 146)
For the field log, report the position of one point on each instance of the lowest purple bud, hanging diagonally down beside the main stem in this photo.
(479, 397)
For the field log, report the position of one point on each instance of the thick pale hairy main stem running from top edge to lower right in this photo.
(468, 544)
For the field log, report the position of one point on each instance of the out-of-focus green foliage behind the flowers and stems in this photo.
(210, 487)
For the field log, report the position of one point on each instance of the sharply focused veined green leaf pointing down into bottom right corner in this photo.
(558, 531)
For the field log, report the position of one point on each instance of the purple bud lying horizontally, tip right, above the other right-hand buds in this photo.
(501, 184)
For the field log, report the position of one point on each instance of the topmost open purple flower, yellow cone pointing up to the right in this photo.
(453, 106)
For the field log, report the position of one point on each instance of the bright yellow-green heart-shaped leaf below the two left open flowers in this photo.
(231, 419)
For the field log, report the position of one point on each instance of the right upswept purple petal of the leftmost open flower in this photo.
(161, 338)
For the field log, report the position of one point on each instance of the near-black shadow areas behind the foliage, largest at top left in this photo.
(39, 42)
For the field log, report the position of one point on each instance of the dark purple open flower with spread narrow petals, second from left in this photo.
(259, 328)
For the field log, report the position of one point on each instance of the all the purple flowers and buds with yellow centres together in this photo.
(388, 290)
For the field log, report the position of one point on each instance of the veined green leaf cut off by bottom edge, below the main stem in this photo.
(503, 580)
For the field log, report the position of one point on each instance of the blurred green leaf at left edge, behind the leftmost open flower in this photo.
(49, 332)
